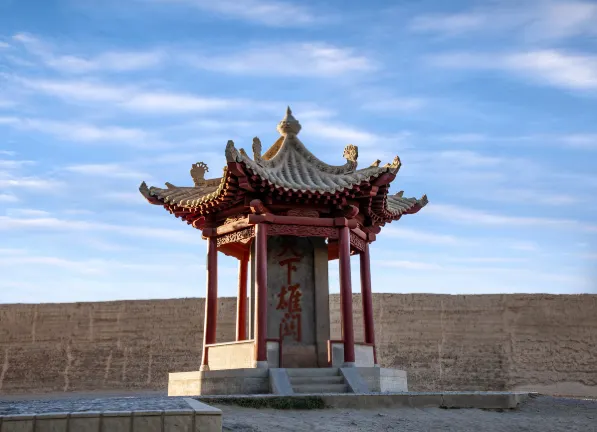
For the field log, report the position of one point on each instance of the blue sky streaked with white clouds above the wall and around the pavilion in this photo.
(491, 106)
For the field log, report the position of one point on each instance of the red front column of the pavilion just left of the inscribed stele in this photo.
(261, 294)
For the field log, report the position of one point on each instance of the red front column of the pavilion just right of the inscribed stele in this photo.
(346, 295)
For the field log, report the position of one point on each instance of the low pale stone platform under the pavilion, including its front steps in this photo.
(283, 381)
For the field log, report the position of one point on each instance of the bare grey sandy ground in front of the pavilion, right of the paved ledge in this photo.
(540, 414)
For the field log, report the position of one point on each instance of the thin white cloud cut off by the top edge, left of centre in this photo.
(267, 12)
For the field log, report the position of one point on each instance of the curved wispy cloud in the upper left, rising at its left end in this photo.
(110, 61)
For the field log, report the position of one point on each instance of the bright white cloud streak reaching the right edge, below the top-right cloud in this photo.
(548, 67)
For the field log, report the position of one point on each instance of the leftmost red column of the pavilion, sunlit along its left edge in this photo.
(211, 299)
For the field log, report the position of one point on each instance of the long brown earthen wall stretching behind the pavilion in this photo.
(489, 342)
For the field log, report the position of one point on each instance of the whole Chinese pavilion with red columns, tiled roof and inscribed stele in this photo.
(284, 214)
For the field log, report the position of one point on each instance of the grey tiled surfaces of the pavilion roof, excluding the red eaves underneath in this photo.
(288, 165)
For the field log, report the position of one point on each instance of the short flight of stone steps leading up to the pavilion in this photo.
(320, 380)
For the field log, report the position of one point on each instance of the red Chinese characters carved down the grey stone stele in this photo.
(289, 298)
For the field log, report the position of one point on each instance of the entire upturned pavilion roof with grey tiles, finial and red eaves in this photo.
(288, 169)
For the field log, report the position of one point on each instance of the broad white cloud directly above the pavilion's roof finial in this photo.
(299, 59)
